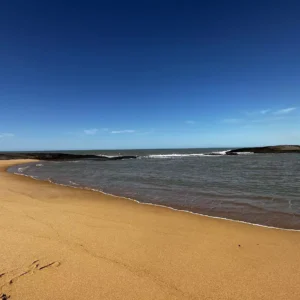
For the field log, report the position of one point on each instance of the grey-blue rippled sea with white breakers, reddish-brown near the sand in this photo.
(260, 189)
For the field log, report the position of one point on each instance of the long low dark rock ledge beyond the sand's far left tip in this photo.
(58, 156)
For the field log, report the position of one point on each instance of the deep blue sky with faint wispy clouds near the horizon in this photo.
(148, 74)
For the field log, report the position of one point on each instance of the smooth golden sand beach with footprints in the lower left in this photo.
(64, 243)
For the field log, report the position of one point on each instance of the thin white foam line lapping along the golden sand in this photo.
(158, 205)
